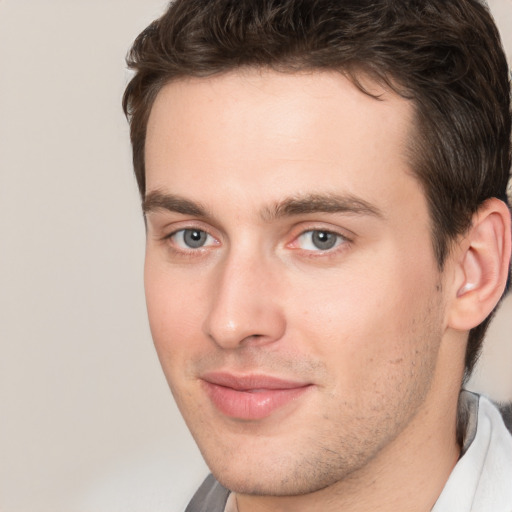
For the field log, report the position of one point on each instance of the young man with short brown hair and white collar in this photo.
(324, 189)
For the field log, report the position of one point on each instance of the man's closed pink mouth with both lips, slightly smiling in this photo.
(251, 397)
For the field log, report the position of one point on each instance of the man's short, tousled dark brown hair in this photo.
(445, 56)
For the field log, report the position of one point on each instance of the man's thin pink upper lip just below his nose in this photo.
(251, 382)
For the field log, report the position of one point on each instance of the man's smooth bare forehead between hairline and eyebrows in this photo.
(296, 133)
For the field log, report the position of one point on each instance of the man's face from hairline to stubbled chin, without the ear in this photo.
(293, 295)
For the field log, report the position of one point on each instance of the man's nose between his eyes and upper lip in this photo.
(244, 308)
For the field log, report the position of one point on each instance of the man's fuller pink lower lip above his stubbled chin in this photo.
(251, 405)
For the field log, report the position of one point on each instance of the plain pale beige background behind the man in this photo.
(87, 423)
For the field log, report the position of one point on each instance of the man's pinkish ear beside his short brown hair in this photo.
(481, 267)
